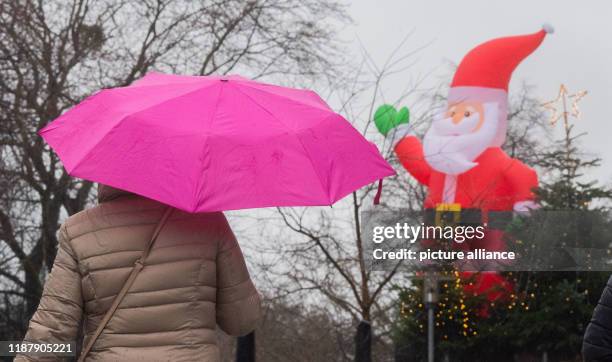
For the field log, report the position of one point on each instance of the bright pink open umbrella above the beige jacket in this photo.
(215, 143)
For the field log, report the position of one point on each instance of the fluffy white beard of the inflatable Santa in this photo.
(452, 149)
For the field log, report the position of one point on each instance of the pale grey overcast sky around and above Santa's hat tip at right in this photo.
(578, 54)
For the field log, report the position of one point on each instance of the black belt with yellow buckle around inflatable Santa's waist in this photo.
(466, 217)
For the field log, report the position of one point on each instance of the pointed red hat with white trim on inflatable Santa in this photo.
(484, 73)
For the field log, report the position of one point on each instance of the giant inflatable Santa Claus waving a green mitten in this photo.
(460, 159)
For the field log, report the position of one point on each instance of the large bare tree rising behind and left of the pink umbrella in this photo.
(54, 53)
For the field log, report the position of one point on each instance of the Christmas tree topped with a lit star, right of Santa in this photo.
(561, 303)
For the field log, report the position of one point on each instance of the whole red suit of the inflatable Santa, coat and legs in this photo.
(495, 184)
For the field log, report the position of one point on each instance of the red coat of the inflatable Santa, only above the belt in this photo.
(496, 183)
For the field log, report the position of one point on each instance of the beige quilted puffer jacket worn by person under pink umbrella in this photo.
(194, 279)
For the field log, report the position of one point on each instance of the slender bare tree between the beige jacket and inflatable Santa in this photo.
(317, 257)
